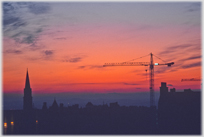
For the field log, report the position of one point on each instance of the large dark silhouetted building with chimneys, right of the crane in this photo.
(179, 112)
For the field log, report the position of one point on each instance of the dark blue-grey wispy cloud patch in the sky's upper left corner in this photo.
(20, 28)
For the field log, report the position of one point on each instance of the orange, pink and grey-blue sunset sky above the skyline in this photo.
(64, 45)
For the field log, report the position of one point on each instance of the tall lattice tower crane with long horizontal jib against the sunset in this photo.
(151, 65)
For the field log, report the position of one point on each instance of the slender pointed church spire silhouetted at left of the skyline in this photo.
(27, 99)
